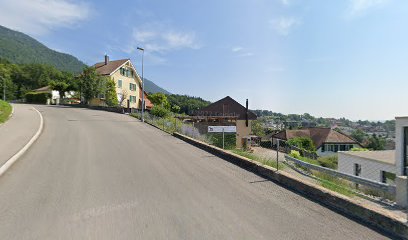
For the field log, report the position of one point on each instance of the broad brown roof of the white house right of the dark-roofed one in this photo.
(318, 136)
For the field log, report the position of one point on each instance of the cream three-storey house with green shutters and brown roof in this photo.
(127, 81)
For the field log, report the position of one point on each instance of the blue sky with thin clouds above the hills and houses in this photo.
(337, 58)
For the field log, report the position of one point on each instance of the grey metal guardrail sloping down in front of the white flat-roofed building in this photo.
(359, 180)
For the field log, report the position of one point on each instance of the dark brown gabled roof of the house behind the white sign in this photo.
(226, 107)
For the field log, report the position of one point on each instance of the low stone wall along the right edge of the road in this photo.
(330, 199)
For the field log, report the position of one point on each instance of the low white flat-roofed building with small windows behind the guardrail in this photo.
(378, 166)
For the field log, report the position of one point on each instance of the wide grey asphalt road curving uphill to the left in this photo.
(100, 175)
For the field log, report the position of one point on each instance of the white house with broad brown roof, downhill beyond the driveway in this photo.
(327, 141)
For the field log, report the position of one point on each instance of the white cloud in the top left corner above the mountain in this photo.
(38, 17)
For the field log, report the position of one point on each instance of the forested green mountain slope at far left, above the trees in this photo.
(20, 48)
